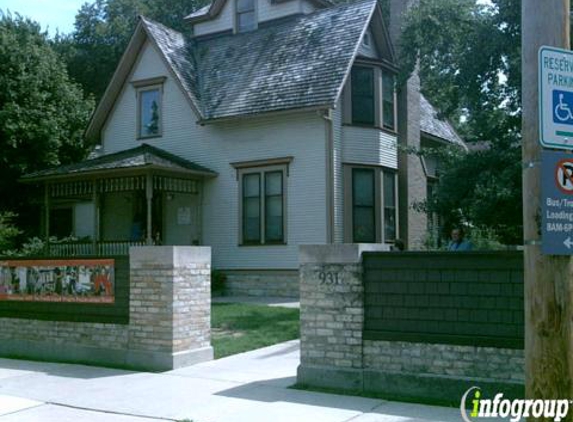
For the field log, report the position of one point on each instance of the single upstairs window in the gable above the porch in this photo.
(149, 107)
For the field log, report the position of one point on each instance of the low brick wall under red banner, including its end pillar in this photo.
(169, 318)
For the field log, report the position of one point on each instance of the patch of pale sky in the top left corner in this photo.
(50, 14)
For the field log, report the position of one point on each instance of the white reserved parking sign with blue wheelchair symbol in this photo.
(556, 98)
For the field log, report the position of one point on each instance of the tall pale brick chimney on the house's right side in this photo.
(411, 175)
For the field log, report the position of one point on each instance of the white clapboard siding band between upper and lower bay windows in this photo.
(369, 146)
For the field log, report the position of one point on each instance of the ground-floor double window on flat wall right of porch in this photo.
(263, 203)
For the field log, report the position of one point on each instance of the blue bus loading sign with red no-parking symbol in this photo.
(557, 203)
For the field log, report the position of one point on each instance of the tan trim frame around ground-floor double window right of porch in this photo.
(261, 169)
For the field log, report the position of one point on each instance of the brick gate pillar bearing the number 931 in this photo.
(332, 315)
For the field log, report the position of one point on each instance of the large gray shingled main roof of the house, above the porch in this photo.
(295, 63)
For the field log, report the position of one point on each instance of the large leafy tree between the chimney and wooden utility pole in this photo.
(469, 62)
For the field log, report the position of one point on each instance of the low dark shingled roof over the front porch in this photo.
(144, 157)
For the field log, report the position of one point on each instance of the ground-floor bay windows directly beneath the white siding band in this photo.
(371, 205)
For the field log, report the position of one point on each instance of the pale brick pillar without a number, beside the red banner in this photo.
(170, 306)
